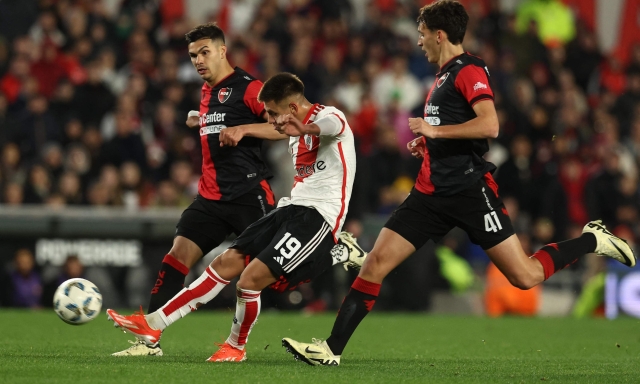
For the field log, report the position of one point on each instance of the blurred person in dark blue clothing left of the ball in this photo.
(26, 285)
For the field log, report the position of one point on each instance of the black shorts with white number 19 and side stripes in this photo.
(295, 242)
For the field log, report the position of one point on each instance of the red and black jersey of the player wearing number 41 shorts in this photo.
(452, 165)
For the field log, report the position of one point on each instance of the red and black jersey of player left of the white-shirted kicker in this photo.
(229, 172)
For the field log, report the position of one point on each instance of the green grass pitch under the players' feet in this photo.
(35, 346)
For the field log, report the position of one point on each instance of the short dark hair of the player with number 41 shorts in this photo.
(447, 15)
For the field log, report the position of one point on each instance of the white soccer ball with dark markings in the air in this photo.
(77, 301)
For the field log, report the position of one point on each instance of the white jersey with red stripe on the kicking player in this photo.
(325, 166)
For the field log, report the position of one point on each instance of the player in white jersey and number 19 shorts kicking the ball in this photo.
(291, 245)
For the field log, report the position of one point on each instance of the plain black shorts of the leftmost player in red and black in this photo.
(208, 222)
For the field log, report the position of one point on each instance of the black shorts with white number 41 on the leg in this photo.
(478, 210)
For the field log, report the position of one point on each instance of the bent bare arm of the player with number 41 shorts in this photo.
(484, 126)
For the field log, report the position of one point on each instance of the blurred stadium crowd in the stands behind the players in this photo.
(92, 104)
